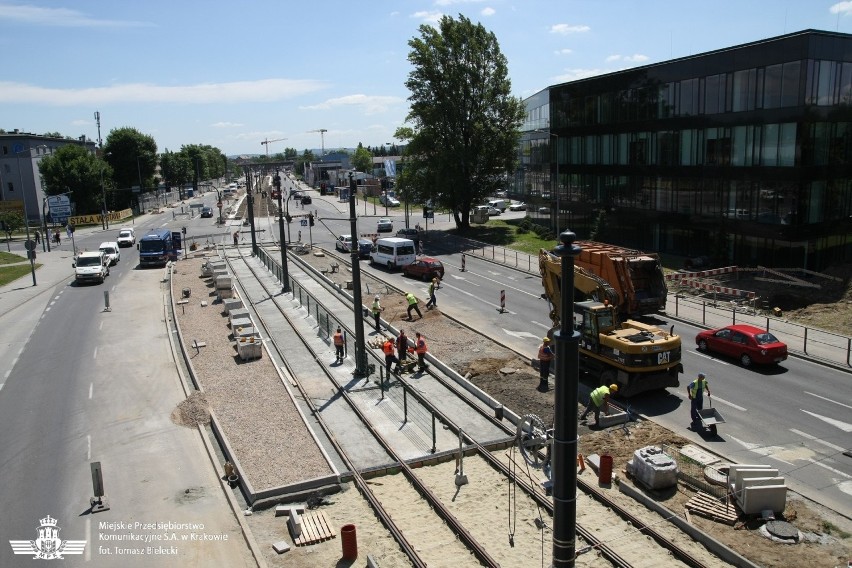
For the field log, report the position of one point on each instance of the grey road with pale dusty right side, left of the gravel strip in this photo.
(91, 385)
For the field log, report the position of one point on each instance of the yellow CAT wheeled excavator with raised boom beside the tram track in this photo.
(636, 356)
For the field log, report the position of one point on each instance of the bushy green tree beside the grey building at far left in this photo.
(73, 168)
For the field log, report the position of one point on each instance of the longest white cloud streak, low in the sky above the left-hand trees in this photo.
(264, 90)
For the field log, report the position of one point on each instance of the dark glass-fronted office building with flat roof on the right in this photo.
(742, 155)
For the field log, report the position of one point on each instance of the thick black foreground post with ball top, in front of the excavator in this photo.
(565, 418)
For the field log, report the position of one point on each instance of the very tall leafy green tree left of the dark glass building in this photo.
(465, 124)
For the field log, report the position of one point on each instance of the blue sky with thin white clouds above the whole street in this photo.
(233, 74)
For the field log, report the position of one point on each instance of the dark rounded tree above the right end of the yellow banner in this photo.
(132, 155)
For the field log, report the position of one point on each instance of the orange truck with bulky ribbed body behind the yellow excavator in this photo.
(637, 277)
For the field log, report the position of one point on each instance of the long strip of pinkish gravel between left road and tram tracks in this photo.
(272, 444)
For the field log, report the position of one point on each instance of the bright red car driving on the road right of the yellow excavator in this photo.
(747, 343)
